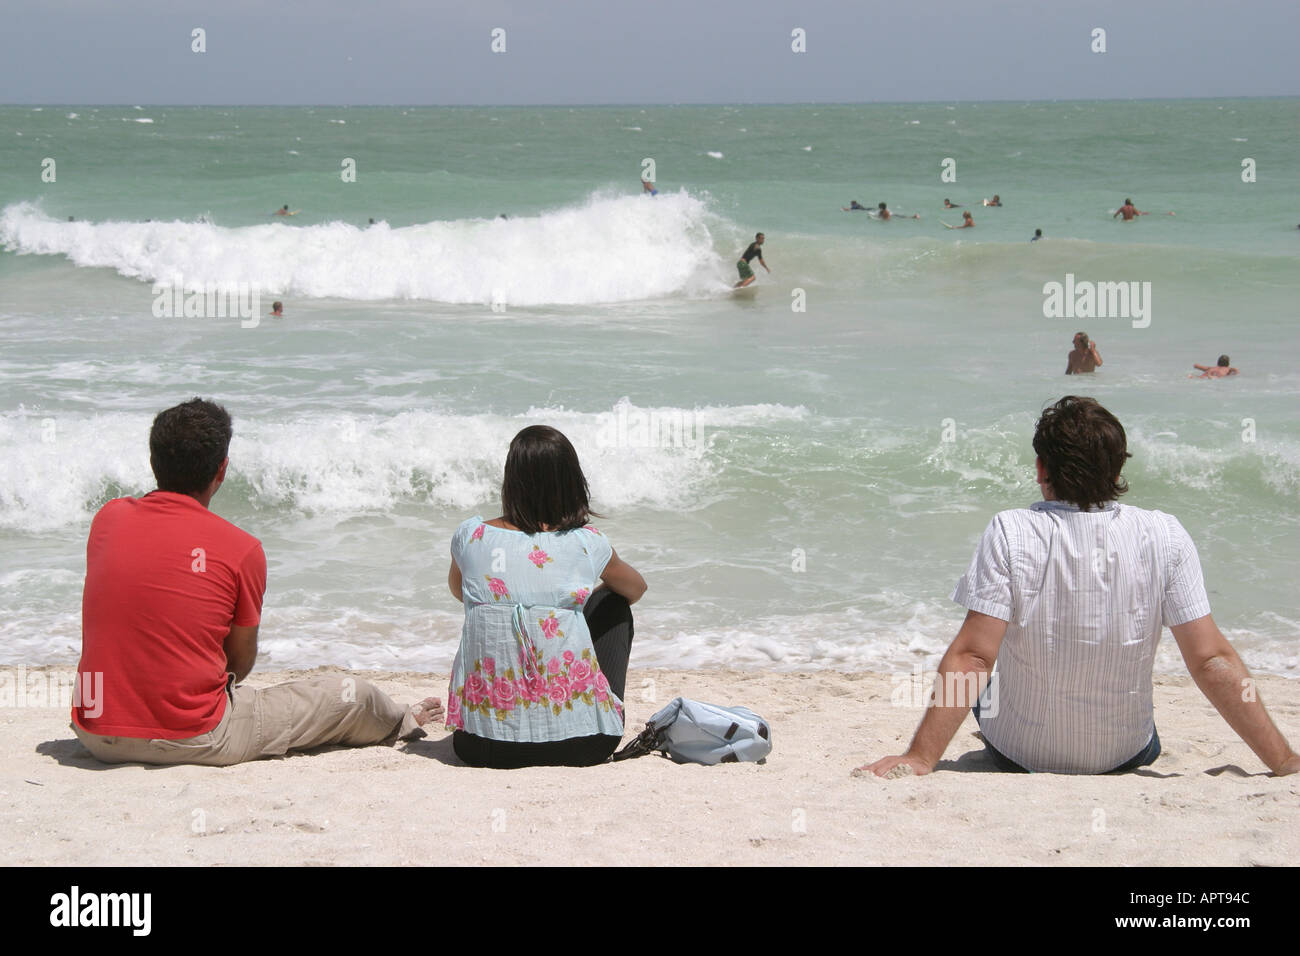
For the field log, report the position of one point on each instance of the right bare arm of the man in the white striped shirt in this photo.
(1224, 680)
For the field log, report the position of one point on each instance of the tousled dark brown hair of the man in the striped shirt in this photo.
(1084, 448)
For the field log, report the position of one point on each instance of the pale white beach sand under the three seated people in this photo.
(1207, 802)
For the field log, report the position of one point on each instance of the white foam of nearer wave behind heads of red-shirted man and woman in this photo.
(58, 471)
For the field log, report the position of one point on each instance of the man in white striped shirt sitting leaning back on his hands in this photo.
(1069, 598)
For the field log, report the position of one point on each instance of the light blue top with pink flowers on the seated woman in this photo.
(526, 671)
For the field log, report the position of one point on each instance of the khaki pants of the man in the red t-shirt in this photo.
(270, 723)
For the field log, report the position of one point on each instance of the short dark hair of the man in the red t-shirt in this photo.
(188, 445)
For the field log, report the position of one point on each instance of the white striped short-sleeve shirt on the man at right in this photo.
(1085, 595)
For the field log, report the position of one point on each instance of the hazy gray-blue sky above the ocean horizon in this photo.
(670, 51)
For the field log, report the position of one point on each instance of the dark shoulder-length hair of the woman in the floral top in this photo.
(544, 483)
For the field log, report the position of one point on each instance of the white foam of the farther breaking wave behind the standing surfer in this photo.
(605, 250)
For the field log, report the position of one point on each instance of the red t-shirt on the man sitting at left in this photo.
(166, 579)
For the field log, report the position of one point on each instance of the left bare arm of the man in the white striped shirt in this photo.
(963, 676)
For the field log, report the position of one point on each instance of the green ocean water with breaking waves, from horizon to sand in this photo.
(801, 474)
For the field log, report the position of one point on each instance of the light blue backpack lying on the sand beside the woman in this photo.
(695, 733)
